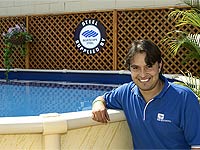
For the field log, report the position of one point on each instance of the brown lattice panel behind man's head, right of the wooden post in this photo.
(152, 24)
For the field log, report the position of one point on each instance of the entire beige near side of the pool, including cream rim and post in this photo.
(70, 131)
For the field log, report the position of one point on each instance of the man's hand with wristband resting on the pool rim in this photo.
(99, 111)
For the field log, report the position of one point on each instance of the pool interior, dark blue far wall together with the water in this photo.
(35, 92)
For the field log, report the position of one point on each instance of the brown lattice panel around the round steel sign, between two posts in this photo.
(54, 47)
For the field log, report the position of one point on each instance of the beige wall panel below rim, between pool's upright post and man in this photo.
(111, 136)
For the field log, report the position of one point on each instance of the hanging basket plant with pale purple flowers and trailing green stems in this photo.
(16, 37)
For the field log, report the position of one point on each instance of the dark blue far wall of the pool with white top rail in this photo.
(78, 76)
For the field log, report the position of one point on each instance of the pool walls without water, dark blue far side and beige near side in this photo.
(65, 131)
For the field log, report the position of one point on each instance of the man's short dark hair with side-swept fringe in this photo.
(153, 53)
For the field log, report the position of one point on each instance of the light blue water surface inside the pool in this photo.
(35, 98)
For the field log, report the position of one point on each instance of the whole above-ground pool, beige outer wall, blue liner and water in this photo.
(51, 110)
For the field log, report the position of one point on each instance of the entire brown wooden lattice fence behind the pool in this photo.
(54, 47)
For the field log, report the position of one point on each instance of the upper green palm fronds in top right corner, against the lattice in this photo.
(176, 39)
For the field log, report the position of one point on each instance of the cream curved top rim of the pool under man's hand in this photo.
(52, 123)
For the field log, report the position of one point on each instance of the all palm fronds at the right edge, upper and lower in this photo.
(177, 39)
